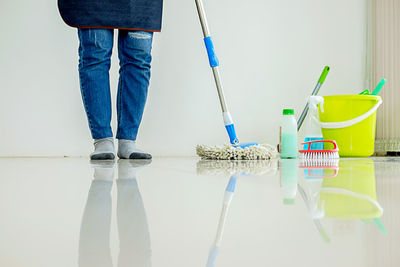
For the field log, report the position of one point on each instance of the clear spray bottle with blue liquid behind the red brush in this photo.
(314, 129)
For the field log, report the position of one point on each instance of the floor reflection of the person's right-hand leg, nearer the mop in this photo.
(133, 229)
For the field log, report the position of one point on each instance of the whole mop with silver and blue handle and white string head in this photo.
(235, 151)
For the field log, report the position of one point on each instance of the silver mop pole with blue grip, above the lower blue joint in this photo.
(212, 57)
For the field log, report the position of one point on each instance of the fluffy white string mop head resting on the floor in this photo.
(229, 152)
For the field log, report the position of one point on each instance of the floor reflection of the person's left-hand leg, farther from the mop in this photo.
(94, 241)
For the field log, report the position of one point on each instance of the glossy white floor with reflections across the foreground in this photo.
(69, 212)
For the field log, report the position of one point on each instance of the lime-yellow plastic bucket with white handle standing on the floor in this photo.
(351, 121)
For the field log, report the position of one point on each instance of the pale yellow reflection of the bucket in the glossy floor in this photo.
(351, 194)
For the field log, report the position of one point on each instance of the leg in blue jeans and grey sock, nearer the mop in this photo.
(134, 51)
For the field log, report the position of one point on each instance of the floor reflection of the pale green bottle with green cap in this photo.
(289, 168)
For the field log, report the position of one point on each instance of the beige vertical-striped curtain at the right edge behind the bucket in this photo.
(383, 61)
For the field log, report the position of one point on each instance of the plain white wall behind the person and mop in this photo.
(272, 52)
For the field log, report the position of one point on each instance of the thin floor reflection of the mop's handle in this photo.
(229, 191)
